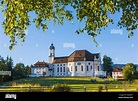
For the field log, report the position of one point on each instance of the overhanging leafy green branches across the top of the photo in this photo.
(96, 15)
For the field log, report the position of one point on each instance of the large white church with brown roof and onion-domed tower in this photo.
(78, 63)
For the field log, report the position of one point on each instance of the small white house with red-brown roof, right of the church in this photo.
(117, 73)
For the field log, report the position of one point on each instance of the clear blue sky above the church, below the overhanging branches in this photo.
(118, 46)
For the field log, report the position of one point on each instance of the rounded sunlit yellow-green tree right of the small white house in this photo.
(129, 71)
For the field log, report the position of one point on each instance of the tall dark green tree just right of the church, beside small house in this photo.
(107, 65)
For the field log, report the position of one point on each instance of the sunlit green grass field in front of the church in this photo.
(76, 84)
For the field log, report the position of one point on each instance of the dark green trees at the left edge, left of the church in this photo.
(18, 71)
